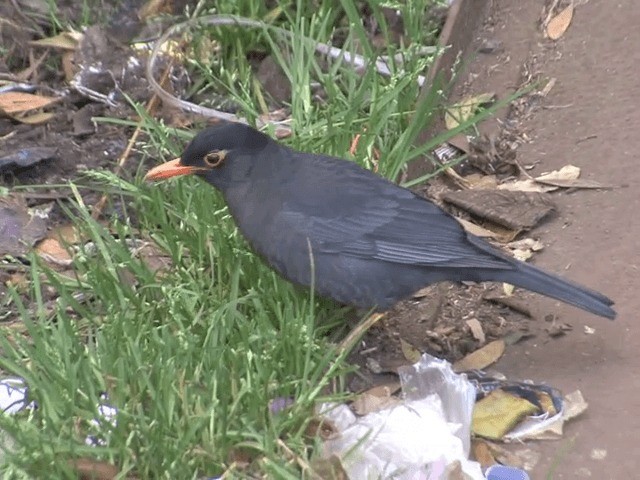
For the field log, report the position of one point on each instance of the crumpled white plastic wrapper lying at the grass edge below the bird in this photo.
(416, 440)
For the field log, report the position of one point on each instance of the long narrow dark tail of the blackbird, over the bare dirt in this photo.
(536, 280)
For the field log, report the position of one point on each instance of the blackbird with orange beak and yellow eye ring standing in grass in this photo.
(365, 241)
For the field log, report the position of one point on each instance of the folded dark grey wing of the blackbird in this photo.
(406, 229)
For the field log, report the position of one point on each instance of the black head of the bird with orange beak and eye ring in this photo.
(217, 153)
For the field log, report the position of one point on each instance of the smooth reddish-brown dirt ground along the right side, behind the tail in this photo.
(590, 119)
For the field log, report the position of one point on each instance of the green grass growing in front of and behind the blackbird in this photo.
(192, 356)
